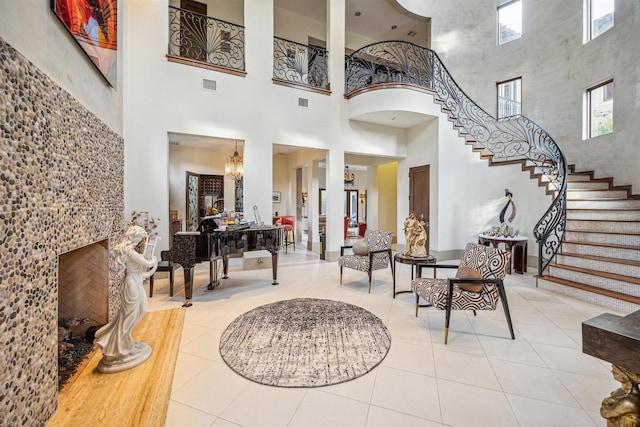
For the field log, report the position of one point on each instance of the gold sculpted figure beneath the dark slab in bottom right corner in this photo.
(622, 408)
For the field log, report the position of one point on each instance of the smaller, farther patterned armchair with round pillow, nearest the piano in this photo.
(373, 253)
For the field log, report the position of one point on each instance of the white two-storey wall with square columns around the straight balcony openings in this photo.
(233, 111)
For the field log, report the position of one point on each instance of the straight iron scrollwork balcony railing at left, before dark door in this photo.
(205, 39)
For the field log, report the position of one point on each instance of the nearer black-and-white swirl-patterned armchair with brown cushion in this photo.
(478, 284)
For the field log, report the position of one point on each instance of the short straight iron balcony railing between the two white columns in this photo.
(301, 64)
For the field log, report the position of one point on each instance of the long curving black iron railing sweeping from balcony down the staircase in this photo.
(512, 138)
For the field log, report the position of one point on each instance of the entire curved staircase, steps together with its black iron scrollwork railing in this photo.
(588, 240)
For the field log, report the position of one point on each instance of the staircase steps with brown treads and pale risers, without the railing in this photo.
(599, 260)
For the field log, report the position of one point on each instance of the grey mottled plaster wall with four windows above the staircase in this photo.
(556, 68)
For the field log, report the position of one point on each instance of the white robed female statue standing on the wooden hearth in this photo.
(119, 350)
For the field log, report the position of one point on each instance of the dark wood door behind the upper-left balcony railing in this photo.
(193, 30)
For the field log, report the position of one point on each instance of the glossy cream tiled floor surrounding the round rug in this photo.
(481, 378)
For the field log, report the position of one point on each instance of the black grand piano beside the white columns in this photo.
(212, 243)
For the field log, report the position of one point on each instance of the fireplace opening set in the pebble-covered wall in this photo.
(83, 304)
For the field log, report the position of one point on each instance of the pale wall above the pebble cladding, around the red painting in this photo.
(32, 28)
